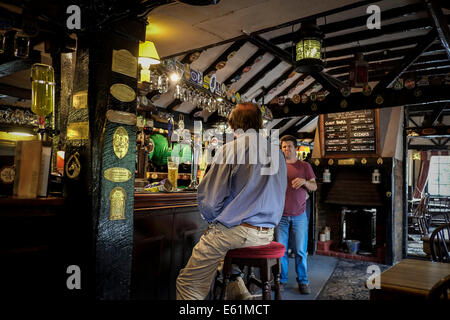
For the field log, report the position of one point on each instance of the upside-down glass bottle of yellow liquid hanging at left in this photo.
(42, 91)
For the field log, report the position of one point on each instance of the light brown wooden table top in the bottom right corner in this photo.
(414, 277)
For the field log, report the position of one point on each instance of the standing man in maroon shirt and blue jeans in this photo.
(301, 179)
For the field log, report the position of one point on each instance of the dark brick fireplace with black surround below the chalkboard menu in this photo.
(354, 209)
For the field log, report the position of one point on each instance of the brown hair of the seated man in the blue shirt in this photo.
(246, 116)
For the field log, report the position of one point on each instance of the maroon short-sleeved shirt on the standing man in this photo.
(295, 202)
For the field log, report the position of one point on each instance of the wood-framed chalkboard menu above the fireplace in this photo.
(353, 132)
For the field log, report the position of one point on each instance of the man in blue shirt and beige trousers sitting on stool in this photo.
(241, 196)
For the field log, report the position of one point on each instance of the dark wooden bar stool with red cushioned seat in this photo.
(266, 258)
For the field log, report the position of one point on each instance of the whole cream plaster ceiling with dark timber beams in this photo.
(255, 38)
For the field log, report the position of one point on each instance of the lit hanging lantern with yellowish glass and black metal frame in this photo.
(308, 57)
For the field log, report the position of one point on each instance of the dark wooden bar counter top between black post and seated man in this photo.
(160, 200)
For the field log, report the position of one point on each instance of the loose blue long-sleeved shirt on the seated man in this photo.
(239, 189)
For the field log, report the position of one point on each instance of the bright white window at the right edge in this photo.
(439, 176)
